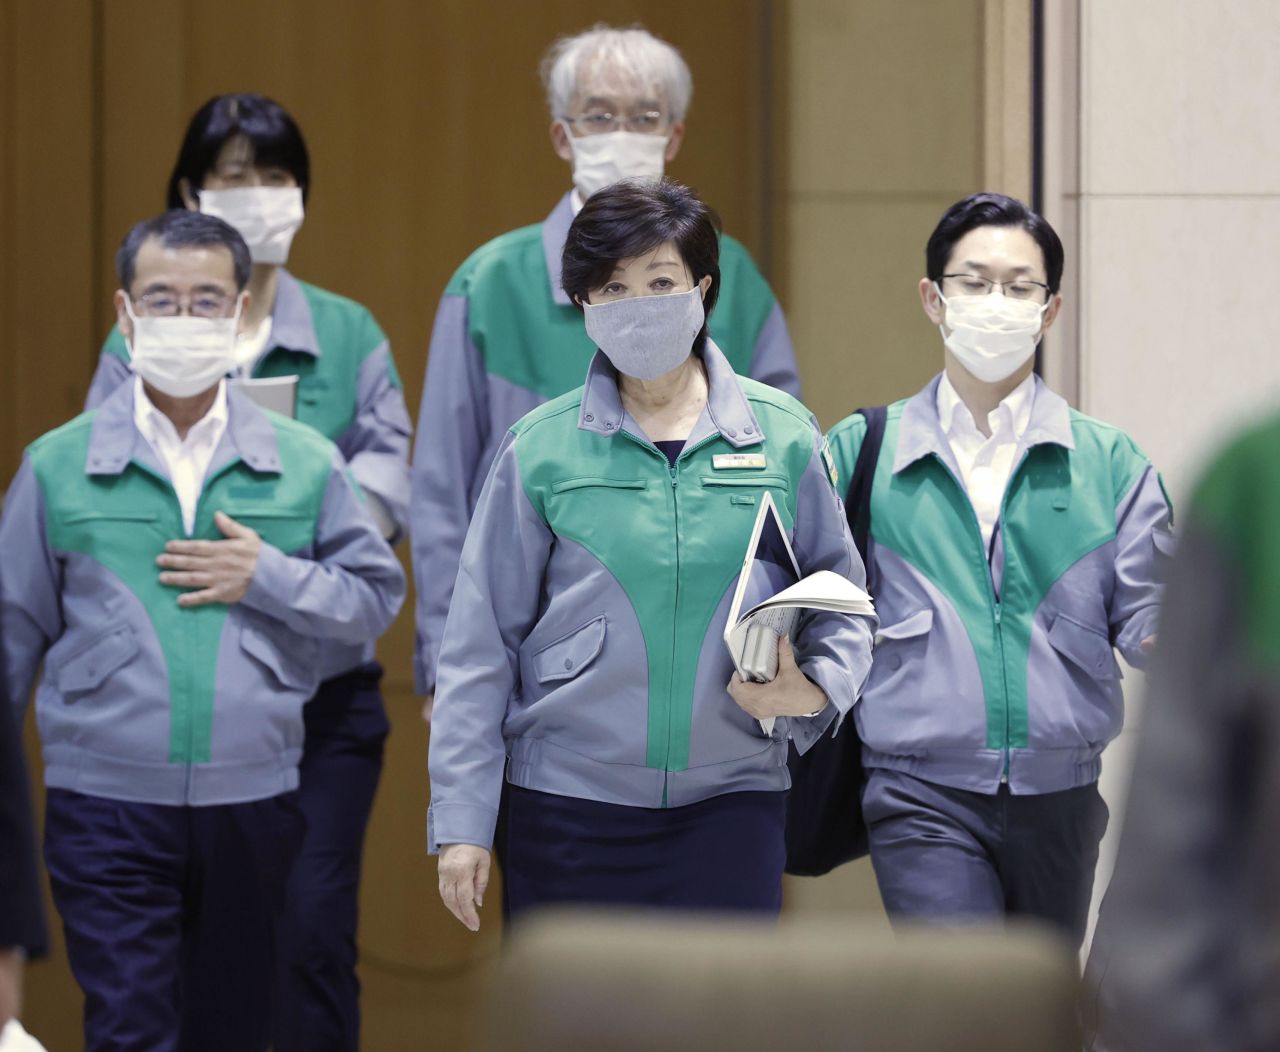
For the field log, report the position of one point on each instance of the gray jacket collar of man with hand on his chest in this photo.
(116, 441)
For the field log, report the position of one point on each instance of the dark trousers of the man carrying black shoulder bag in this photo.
(948, 854)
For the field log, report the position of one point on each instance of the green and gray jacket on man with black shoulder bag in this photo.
(1002, 670)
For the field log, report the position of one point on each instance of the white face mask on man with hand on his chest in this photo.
(184, 356)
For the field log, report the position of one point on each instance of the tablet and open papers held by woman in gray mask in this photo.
(771, 596)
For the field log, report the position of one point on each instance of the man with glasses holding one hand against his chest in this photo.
(177, 559)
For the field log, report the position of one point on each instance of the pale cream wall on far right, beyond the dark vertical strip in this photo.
(1167, 187)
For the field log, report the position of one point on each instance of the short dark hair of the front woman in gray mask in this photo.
(632, 218)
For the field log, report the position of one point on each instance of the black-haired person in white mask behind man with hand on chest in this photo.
(244, 159)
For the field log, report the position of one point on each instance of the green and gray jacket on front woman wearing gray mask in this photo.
(586, 641)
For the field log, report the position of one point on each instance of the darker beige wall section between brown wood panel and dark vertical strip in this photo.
(894, 112)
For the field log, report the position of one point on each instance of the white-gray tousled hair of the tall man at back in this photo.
(634, 51)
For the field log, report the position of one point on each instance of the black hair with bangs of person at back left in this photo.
(275, 136)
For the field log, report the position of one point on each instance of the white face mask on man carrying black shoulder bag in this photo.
(991, 336)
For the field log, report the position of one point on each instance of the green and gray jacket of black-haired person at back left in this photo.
(349, 391)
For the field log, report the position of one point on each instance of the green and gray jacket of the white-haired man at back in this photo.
(508, 340)
